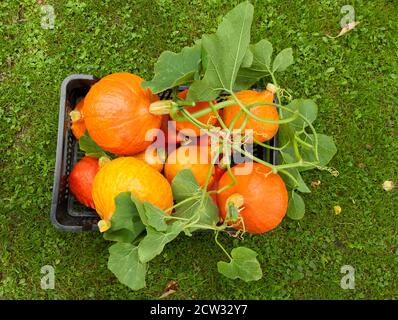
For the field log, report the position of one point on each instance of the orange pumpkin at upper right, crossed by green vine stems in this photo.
(261, 131)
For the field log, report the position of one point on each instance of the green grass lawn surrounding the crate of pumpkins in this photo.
(354, 80)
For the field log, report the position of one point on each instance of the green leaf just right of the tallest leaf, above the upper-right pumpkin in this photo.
(260, 67)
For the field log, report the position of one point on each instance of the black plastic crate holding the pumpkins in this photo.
(67, 213)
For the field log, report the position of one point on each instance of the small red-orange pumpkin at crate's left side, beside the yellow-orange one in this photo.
(81, 180)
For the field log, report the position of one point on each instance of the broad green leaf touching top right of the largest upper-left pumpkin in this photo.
(174, 69)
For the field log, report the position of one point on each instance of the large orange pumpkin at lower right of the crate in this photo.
(264, 194)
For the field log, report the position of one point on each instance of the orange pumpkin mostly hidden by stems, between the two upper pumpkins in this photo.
(186, 127)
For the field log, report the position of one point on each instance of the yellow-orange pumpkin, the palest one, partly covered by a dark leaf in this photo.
(129, 174)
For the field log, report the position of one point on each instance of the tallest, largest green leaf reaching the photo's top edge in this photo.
(226, 50)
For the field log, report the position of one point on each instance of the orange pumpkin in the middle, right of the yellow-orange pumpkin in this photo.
(195, 158)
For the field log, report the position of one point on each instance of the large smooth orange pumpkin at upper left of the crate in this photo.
(116, 113)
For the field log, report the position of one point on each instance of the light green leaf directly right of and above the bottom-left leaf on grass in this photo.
(154, 242)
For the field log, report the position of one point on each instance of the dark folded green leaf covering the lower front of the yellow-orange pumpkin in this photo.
(126, 224)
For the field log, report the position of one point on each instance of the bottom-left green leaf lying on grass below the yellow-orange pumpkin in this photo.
(126, 266)
